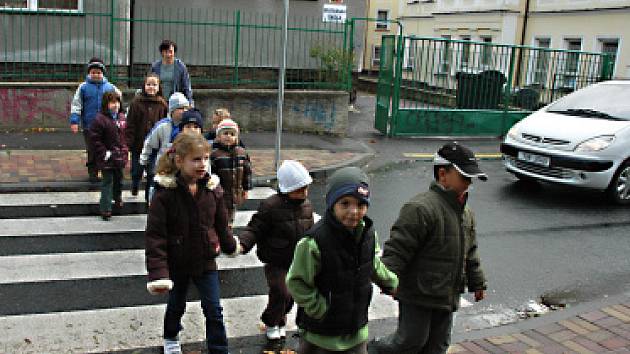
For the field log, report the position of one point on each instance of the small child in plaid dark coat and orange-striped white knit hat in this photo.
(231, 163)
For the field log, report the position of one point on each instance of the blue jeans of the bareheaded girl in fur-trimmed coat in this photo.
(208, 287)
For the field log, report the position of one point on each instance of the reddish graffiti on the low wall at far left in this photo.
(29, 106)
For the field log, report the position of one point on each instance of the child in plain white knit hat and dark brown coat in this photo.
(279, 223)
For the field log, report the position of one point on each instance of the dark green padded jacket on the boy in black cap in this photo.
(433, 249)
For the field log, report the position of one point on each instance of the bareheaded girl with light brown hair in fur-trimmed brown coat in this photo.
(187, 228)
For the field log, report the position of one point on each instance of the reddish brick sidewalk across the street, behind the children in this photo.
(69, 165)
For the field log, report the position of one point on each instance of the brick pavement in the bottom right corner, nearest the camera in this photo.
(606, 330)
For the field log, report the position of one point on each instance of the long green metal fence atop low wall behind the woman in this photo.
(221, 48)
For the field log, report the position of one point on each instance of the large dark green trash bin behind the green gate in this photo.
(480, 91)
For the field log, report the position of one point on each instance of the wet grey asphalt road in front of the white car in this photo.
(568, 245)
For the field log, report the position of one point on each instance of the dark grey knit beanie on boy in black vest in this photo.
(347, 181)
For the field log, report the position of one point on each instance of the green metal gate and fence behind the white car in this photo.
(457, 87)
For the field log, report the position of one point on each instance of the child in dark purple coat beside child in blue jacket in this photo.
(107, 136)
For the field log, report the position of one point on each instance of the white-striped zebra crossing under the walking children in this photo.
(72, 283)
